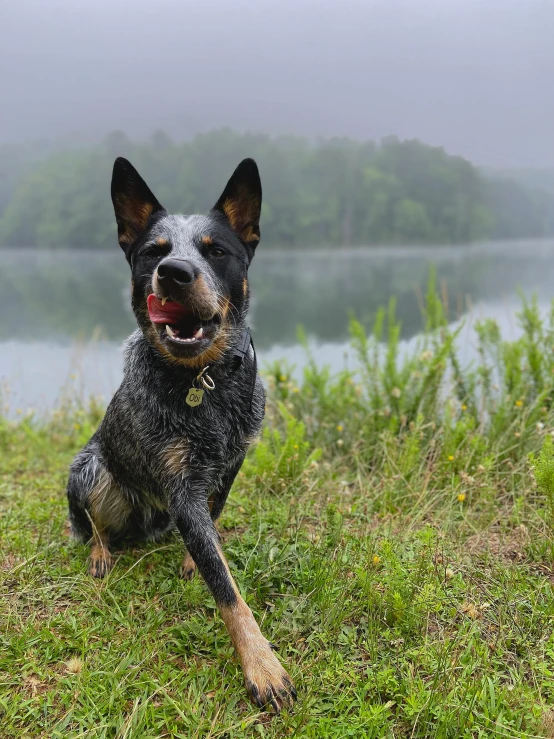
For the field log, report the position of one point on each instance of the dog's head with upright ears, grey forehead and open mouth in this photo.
(189, 273)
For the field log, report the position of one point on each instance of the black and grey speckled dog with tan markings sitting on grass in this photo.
(176, 431)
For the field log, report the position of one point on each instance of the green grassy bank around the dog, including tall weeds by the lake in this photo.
(392, 532)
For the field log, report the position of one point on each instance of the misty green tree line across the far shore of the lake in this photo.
(329, 192)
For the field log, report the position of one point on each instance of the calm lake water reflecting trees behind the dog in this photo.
(64, 316)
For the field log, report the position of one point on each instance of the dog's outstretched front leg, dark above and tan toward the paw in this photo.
(266, 680)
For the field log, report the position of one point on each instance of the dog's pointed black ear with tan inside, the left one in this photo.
(134, 203)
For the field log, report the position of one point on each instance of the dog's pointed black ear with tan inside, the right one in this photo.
(241, 202)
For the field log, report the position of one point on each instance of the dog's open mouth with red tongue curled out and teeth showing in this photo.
(179, 325)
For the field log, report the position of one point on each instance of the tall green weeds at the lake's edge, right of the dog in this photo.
(421, 419)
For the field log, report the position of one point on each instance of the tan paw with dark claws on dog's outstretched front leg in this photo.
(268, 684)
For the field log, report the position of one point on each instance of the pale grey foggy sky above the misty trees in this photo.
(473, 76)
